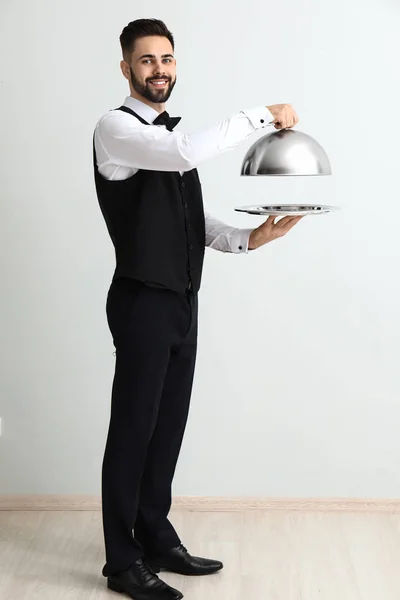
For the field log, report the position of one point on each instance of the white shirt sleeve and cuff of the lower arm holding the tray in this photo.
(224, 238)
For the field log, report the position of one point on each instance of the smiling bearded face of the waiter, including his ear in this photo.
(152, 71)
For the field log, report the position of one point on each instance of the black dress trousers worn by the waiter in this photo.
(155, 336)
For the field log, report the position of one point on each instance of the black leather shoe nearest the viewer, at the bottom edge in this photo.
(141, 583)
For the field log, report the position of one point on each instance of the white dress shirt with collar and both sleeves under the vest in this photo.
(124, 145)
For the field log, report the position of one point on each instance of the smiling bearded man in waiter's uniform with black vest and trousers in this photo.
(150, 196)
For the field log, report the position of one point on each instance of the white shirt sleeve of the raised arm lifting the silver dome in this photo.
(126, 142)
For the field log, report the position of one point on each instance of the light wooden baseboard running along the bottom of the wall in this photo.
(206, 503)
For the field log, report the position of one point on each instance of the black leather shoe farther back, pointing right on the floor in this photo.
(178, 560)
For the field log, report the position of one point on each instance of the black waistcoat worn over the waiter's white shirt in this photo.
(156, 222)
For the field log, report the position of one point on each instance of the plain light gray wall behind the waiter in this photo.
(297, 388)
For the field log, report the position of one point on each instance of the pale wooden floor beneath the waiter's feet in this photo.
(267, 555)
